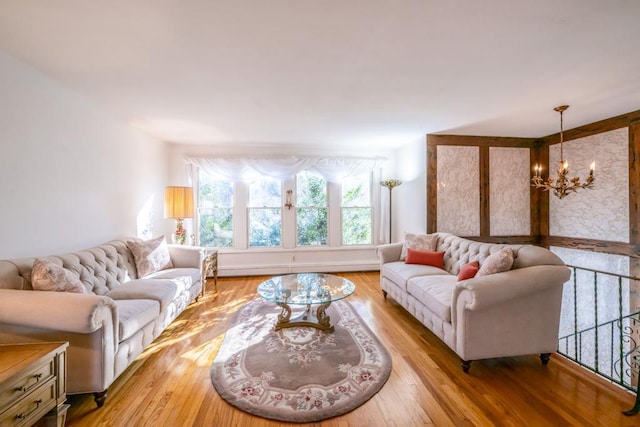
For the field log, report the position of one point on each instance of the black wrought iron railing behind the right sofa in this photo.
(606, 326)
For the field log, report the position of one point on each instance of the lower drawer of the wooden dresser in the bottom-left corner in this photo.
(31, 407)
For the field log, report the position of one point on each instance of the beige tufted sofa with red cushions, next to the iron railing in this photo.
(511, 313)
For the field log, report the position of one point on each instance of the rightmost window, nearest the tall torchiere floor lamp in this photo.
(357, 217)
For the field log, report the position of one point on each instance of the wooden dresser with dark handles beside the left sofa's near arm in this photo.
(33, 383)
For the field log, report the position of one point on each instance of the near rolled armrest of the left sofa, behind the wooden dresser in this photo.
(57, 311)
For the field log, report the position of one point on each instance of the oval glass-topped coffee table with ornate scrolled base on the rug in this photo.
(305, 289)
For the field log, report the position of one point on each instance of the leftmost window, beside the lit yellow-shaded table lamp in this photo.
(215, 212)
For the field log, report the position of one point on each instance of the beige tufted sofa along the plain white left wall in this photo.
(112, 323)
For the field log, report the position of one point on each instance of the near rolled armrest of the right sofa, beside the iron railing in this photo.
(494, 289)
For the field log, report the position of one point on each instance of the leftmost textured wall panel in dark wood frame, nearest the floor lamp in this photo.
(458, 190)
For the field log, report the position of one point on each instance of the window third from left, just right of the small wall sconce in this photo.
(311, 209)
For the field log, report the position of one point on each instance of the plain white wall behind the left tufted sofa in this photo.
(71, 175)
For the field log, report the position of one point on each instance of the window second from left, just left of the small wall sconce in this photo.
(265, 212)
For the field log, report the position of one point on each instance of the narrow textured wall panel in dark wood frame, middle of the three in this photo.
(509, 191)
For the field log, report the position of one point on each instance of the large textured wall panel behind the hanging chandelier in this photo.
(602, 212)
